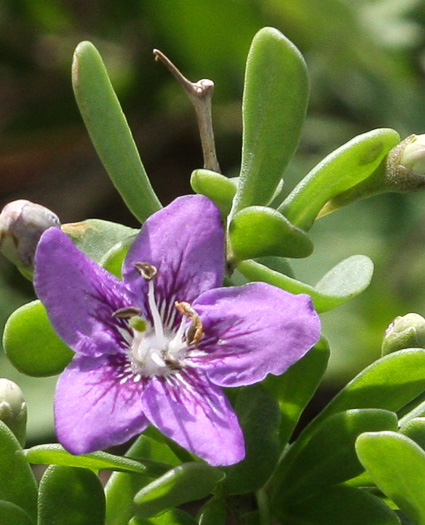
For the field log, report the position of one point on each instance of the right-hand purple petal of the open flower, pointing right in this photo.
(251, 331)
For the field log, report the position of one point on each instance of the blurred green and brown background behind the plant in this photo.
(366, 60)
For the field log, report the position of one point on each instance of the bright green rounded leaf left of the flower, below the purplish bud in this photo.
(32, 345)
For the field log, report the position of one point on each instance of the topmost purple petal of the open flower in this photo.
(185, 242)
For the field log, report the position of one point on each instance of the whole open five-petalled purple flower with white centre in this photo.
(156, 347)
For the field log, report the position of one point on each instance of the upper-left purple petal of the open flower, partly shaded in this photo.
(79, 295)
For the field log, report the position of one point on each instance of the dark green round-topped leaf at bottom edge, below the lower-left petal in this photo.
(70, 496)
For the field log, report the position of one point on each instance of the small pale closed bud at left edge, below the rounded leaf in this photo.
(13, 409)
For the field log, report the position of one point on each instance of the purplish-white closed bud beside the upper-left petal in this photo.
(21, 225)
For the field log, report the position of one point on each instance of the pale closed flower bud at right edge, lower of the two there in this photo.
(406, 331)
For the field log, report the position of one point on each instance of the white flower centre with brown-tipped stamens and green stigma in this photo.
(154, 348)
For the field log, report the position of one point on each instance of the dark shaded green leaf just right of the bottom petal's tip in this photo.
(259, 416)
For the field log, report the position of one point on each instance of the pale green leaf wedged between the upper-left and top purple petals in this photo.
(95, 237)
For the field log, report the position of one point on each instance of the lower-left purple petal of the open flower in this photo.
(94, 408)
